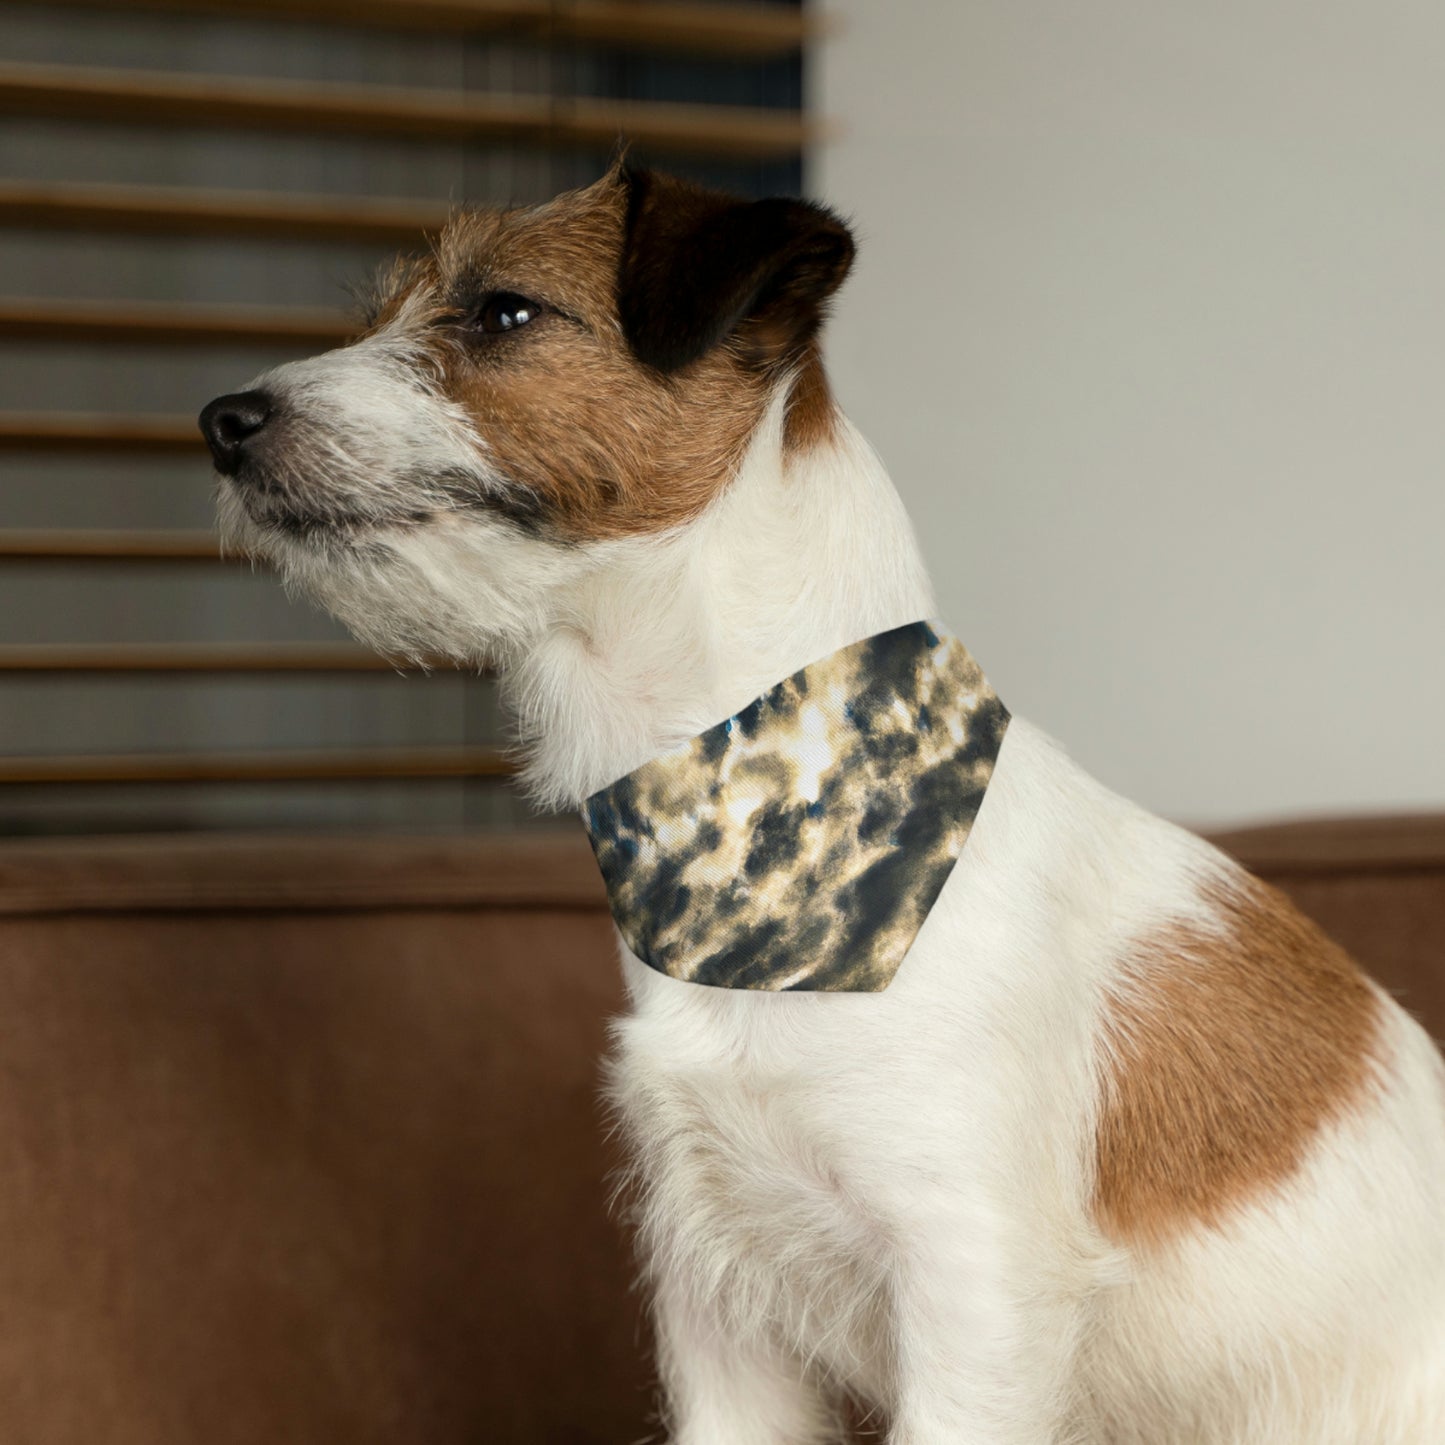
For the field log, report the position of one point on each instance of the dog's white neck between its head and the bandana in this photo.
(665, 637)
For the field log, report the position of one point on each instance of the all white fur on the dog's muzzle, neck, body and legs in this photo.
(891, 1193)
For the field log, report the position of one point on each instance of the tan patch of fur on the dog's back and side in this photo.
(1226, 1058)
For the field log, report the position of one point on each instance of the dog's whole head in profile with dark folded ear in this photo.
(544, 384)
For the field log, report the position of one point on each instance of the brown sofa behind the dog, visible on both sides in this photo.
(300, 1139)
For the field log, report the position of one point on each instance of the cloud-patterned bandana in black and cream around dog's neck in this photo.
(801, 843)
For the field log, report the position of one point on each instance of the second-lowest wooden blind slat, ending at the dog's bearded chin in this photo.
(200, 658)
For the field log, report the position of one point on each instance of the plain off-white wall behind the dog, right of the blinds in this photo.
(1149, 324)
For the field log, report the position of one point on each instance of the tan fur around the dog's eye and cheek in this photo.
(599, 443)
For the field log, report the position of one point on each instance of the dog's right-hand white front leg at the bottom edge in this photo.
(986, 1350)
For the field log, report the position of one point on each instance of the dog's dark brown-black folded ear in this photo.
(700, 267)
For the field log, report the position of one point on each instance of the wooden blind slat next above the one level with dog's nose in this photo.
(171, 324)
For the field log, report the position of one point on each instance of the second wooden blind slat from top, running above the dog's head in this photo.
(217, 102)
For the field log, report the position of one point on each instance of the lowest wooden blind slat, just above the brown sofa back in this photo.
(358, 765)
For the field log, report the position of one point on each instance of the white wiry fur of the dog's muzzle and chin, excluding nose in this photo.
(375, 504)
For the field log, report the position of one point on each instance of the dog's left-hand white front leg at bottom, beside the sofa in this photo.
(722, 1389)
